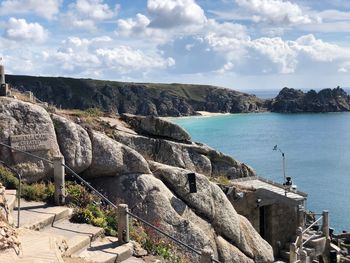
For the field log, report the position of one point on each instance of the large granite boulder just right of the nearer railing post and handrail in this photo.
(148, 197)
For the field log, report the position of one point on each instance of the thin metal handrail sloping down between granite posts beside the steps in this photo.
(110, 202)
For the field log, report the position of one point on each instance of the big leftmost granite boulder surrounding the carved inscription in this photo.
(21, 118)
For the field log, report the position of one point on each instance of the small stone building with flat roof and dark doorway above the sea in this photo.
(274, 211)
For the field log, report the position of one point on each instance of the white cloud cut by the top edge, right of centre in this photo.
(276, 12)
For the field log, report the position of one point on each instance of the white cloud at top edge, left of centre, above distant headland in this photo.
(84, 14)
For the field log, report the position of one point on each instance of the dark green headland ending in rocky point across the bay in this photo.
(173, 99)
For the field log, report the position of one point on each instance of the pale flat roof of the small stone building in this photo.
(258, 182)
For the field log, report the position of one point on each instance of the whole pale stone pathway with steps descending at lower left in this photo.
(47, 236)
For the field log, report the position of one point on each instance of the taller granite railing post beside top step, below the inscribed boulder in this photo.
(58, 170)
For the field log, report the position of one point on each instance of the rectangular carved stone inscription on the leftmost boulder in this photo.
(31, 142)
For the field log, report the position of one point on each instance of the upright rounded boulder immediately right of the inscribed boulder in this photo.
(74, 143)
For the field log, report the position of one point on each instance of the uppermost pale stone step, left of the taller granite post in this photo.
(37, 215)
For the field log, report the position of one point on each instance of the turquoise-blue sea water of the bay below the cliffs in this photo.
(317, 148)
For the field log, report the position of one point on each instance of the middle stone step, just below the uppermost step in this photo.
(77, 236)
